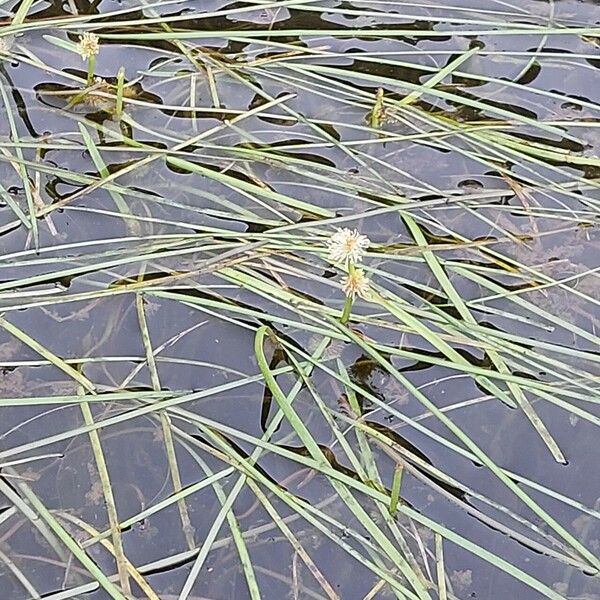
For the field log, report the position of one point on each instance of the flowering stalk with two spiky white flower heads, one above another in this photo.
(348, 247)
